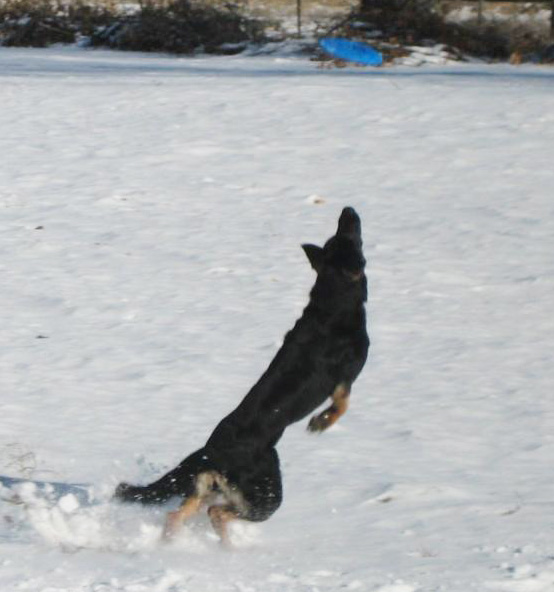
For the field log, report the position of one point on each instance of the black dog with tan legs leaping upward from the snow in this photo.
(320, 358)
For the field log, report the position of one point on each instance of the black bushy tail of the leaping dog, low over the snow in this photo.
(179, 482)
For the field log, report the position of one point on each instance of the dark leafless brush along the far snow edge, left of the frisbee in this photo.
(179, 26)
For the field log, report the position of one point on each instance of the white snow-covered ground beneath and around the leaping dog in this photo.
(151, 214)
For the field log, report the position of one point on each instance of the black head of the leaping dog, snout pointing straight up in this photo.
(341, 260)
